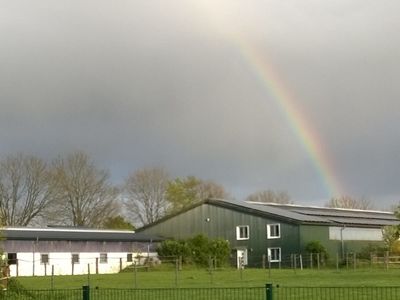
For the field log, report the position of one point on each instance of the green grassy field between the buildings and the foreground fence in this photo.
(196, 278)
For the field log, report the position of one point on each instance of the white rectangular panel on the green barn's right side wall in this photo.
(355, 234)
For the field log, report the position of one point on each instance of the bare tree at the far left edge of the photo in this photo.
(25, 189)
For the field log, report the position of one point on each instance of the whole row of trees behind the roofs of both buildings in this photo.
(72, 190)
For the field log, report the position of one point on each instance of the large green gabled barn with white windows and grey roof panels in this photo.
(274, 230)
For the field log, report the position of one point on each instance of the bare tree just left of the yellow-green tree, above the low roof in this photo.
(145, 195)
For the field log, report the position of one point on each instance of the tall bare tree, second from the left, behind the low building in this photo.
(85, 196)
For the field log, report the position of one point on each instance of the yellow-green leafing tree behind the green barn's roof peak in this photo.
(189, 190)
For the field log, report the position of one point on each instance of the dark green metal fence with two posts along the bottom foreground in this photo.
(269, 292)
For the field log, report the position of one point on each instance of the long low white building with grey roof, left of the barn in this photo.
(72, 251)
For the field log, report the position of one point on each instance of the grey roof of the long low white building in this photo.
(75, 234)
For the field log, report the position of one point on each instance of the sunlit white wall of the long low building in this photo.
(29, 263)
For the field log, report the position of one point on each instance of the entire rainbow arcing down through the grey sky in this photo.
(219, 20)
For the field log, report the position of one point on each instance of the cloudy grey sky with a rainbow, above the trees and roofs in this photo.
(296, 96)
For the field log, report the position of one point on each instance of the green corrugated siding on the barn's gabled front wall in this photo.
(222, 224)
